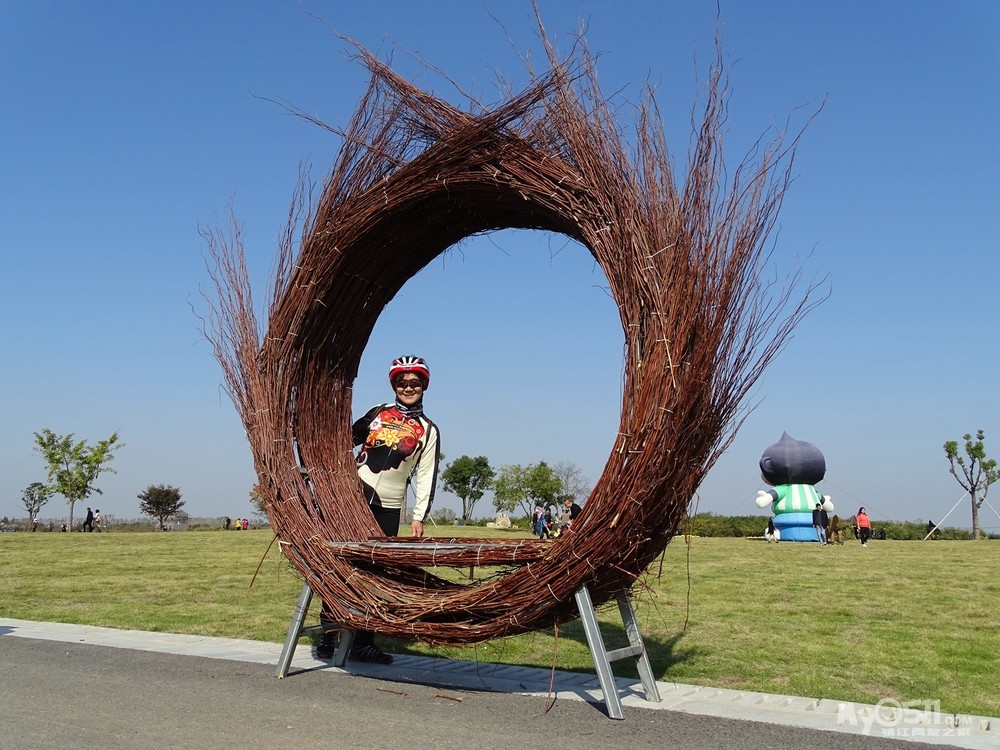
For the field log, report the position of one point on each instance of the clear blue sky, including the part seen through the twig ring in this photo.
(126, 127)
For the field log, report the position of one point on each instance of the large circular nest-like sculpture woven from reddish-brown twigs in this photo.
(414, 176)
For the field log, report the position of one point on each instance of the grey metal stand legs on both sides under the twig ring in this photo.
(636, 649)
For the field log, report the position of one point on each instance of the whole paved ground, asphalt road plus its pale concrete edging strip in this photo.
(149, 685)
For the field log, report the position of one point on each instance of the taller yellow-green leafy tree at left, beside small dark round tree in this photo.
(74, 467)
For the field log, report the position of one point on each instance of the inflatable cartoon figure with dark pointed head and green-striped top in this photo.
(793, 467)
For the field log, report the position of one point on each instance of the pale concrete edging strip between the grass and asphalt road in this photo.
(888, 718)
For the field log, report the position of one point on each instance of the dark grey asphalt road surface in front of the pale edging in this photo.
(58, 695)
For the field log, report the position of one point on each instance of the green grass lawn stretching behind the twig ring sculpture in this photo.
(901, 620)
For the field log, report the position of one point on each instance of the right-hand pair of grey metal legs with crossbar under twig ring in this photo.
(603, 657)
